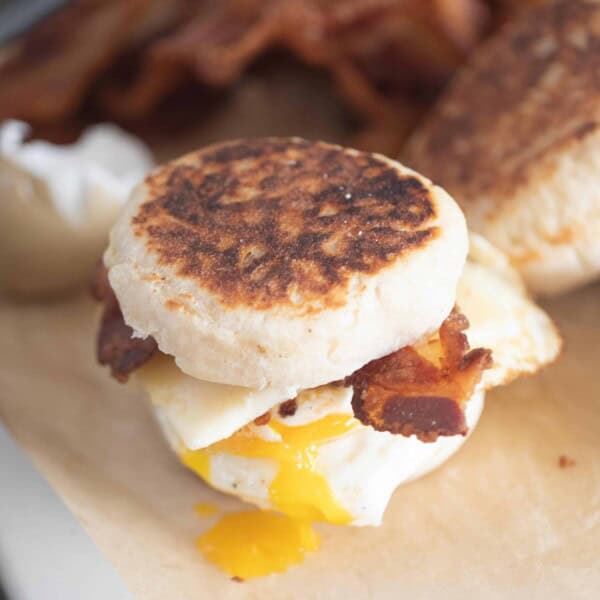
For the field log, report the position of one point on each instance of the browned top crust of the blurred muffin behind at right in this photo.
(528, 93)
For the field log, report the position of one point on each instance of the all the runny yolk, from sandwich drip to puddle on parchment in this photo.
(256, 543)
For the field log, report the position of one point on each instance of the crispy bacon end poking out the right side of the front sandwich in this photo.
(406, 394)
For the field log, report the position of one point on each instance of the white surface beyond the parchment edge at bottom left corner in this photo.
(44, 552)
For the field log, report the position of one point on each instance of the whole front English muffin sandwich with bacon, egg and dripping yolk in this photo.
(298, 314)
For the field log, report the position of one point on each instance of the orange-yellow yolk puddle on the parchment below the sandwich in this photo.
(257, 543)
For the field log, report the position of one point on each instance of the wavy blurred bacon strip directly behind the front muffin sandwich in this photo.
(381, 54)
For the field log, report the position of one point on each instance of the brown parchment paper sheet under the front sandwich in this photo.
(500, 520)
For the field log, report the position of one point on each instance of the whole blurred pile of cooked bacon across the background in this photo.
(159, 68)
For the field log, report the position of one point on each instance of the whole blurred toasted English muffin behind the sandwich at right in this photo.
(516, 139)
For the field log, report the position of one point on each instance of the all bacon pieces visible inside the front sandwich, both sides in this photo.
(402, 393)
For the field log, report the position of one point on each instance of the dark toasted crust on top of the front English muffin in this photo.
(274, 221)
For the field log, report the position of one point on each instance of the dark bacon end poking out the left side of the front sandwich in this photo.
(115, 345)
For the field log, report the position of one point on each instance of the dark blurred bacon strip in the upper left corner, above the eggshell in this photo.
(47, 74)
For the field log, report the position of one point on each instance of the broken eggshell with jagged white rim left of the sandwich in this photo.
(57, 204)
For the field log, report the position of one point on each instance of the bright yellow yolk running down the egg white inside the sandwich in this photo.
(297, 490)
